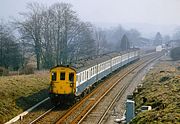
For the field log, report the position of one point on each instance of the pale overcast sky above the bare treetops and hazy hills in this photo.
(159, 12)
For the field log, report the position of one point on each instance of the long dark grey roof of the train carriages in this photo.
(87, 63)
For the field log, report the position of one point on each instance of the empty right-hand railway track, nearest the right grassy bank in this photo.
(115, 97)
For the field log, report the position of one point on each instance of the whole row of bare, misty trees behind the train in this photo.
(55, 35)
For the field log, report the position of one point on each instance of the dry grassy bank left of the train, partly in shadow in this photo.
(18, 93)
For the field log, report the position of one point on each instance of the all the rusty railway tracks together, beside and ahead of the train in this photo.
(79, 112)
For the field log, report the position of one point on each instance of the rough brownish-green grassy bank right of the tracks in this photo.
(161, 88)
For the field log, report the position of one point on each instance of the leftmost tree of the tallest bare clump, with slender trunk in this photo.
(31, 28)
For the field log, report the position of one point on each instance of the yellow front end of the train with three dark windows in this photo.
(63, 84)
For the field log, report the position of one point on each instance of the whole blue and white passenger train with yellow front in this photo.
(70, 82)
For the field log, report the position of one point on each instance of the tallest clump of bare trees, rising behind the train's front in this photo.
(52, 30)
